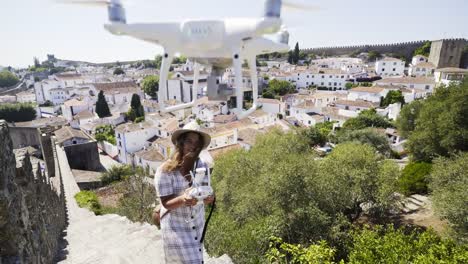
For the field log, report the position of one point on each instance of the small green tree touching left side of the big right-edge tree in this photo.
(406, 121)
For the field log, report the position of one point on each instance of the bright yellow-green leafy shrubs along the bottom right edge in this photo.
(376, 245)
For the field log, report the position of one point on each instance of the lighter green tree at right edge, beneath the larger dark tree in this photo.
(449, 186)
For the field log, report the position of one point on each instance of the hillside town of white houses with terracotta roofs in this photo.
(101, 116)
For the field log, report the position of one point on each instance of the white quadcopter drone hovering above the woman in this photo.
(217, 43)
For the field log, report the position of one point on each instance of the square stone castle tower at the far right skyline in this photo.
(447, 52)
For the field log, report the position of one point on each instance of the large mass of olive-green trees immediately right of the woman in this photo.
(280, 189)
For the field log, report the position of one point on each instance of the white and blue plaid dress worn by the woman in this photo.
(182, 227)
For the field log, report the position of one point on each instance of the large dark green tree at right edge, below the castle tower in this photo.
(441, 128)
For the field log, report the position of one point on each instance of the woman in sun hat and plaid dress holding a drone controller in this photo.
(182, 225)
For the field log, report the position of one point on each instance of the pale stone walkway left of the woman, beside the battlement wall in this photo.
(107, 239)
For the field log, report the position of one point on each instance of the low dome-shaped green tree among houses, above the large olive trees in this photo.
(366, 118)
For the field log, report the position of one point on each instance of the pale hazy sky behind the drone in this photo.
(35, 28)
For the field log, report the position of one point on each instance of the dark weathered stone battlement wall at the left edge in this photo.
(32, 214)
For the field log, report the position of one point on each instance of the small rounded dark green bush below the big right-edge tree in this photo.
(414, 178)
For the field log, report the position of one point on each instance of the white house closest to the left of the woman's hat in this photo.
(133, 137)
